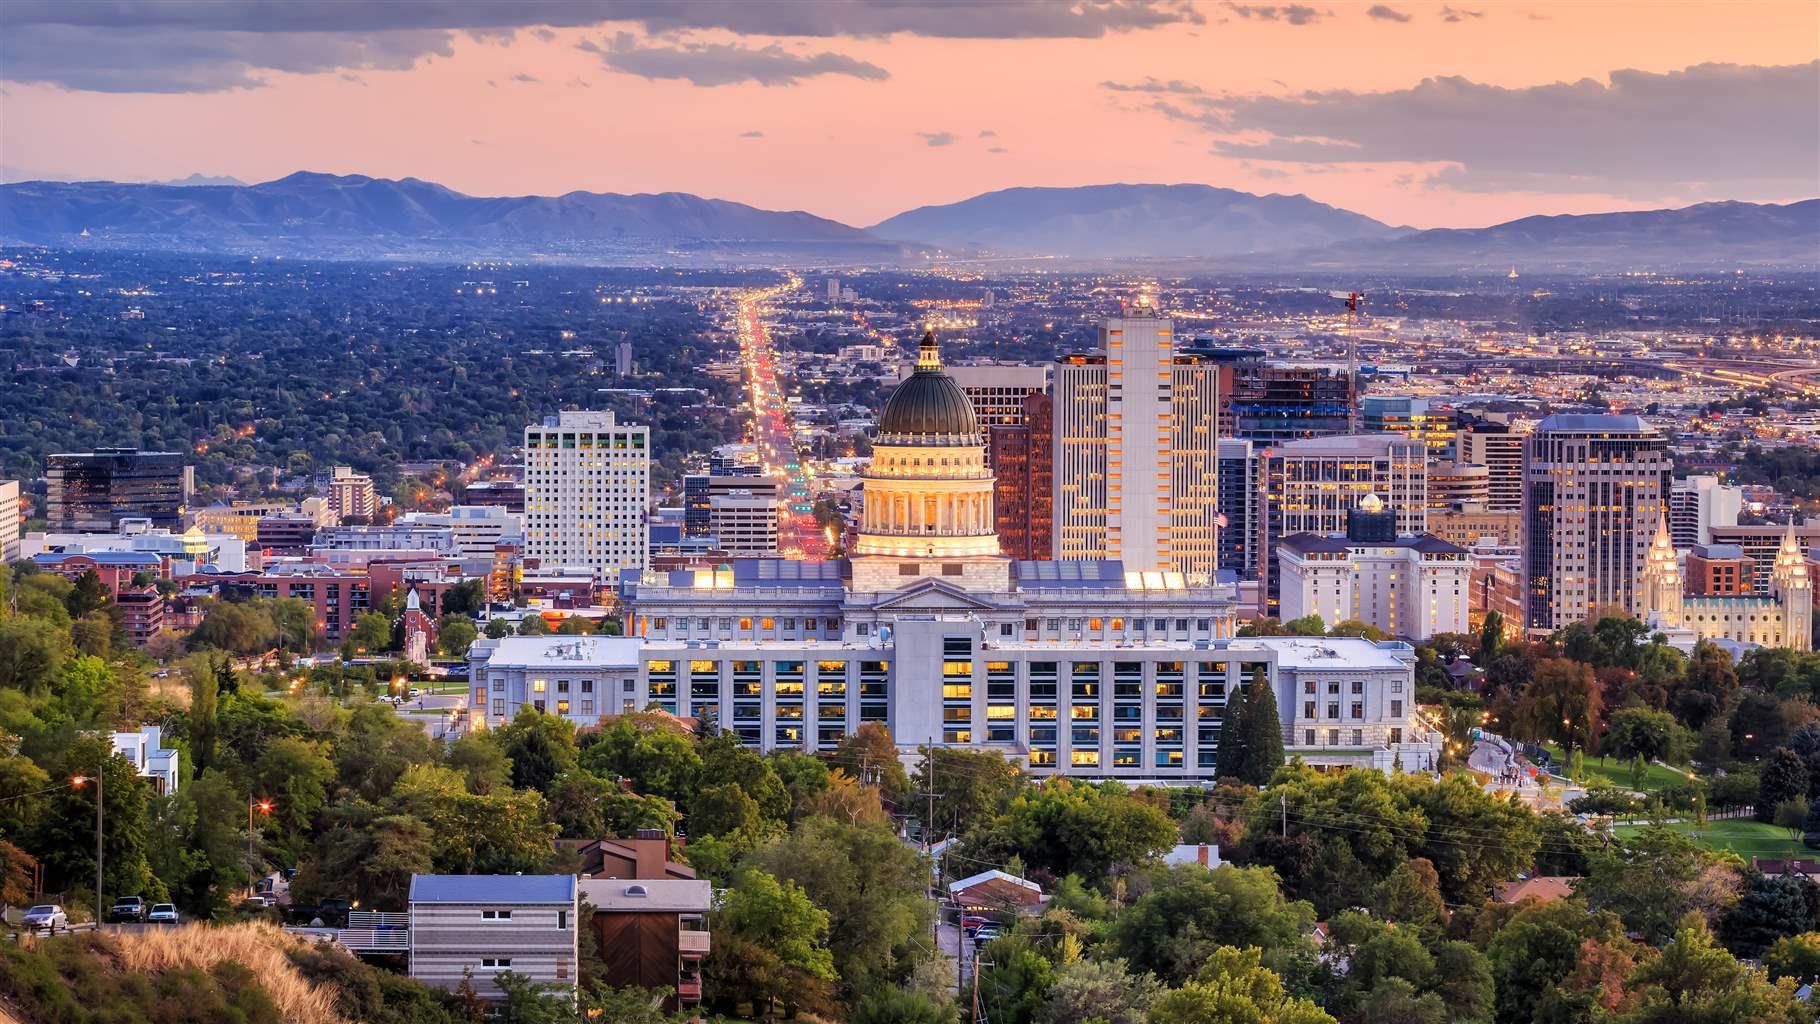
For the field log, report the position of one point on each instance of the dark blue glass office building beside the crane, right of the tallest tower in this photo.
(1284, 403)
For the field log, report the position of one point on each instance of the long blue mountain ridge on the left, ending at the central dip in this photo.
(361, 216)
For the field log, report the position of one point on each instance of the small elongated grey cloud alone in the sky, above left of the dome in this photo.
(727, 65)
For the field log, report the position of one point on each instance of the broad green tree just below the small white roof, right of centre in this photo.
(1191, 912)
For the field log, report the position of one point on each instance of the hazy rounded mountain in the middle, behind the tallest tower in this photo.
(1131, 223)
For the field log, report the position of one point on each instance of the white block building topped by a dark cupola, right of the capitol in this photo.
(1408, 587)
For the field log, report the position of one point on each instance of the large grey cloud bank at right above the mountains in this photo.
(1641, 134)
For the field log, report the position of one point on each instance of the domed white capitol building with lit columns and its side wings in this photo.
(1069, 668)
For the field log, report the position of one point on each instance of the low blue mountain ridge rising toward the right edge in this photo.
(1706, 236)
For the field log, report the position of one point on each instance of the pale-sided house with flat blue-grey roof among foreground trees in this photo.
(481, 927)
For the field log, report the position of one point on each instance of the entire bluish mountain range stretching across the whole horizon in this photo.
(361, 217)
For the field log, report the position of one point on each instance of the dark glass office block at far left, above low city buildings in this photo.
(94, 492)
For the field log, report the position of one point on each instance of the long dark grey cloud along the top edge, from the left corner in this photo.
(205, 46)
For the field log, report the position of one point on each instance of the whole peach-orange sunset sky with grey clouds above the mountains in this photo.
(1430, 115)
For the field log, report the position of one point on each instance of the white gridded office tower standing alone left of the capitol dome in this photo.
(587, 487)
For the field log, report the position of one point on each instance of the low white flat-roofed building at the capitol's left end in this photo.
(574, 678)
